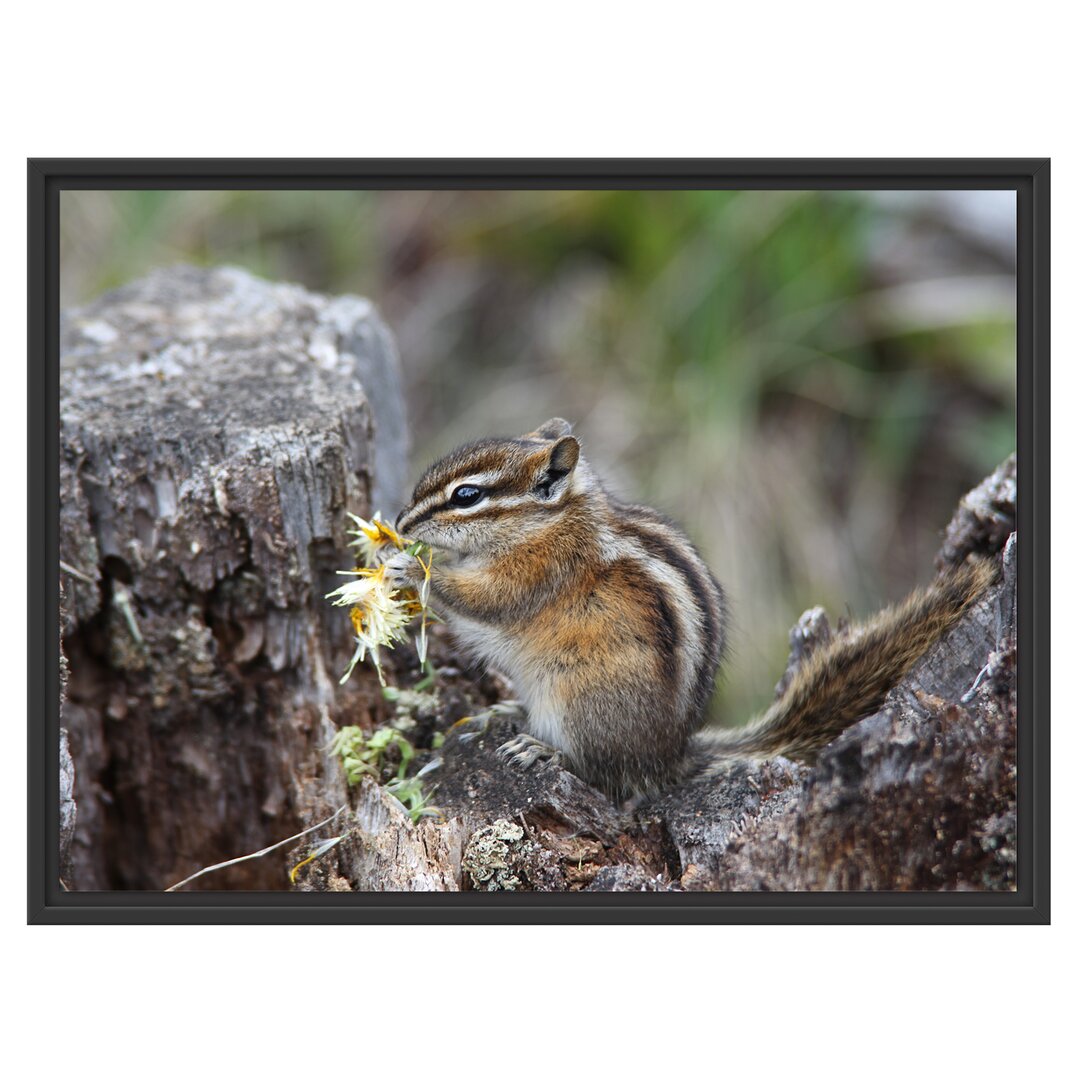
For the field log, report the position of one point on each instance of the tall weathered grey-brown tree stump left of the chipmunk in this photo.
(214, 430)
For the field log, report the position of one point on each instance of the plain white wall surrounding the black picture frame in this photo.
(673, 79)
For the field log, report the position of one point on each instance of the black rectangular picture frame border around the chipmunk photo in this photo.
(47, 902)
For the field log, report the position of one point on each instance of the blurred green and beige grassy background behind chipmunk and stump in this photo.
(807, 381)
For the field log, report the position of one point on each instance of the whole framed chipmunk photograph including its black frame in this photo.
(539, 541)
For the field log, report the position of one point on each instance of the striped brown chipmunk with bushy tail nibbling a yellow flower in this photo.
(612, 628)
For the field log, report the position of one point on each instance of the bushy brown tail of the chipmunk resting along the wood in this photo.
(849, 678)
